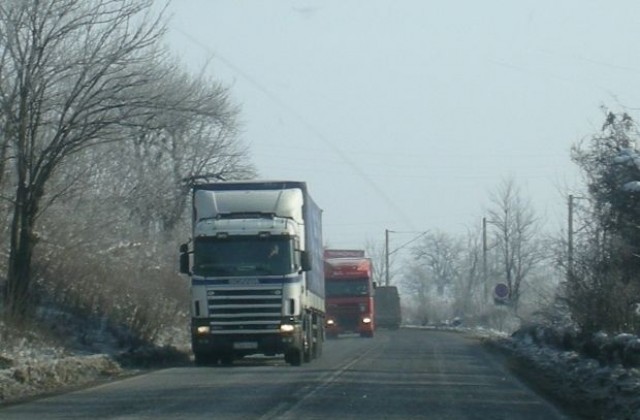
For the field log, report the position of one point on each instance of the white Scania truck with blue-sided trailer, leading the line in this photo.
(256, 267)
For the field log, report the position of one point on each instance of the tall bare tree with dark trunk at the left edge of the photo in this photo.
(73, 73)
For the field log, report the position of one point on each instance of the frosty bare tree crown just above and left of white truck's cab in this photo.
(196, 136)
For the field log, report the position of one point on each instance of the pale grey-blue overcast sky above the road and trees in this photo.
(406, 114)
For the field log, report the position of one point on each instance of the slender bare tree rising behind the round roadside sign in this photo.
(516, 237)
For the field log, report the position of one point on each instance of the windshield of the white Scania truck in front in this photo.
(243, 256)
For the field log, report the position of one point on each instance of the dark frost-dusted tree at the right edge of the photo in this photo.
(603, 282)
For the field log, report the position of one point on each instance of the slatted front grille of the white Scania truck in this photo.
(245, 310)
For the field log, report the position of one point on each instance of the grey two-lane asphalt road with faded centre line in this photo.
(403, 374)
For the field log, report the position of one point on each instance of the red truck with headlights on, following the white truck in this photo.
(349, 293)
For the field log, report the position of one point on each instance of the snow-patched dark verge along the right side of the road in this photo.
(596, 378)
